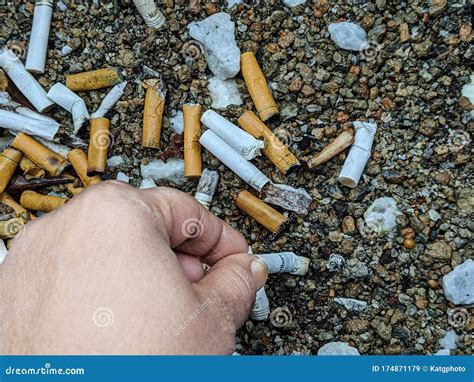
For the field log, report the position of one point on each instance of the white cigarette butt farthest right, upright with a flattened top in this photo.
(359, 154)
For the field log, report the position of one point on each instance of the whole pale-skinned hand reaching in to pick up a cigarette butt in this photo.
(115, 271)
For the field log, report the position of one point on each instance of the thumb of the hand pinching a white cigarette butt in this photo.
(233, 282)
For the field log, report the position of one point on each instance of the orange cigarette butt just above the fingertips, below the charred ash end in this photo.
(260, 211)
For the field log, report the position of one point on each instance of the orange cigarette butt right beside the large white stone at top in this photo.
(258, 87)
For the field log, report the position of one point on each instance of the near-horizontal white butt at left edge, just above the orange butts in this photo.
(20, 123)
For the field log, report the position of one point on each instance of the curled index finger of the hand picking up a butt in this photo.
(191, 228)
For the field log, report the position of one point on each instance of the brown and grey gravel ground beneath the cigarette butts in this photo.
(409, 82)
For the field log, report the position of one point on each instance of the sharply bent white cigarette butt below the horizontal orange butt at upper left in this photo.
(71, 102)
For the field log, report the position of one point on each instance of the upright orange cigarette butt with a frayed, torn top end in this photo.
(153, 114)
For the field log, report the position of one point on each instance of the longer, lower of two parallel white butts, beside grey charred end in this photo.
(239, 165)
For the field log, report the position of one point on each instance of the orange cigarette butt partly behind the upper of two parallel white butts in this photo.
(274, 149)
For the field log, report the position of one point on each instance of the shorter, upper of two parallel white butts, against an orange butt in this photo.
(242, 142)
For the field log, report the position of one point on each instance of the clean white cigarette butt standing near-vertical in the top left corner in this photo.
(37, 49)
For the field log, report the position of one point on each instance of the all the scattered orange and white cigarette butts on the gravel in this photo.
(39, 152)
